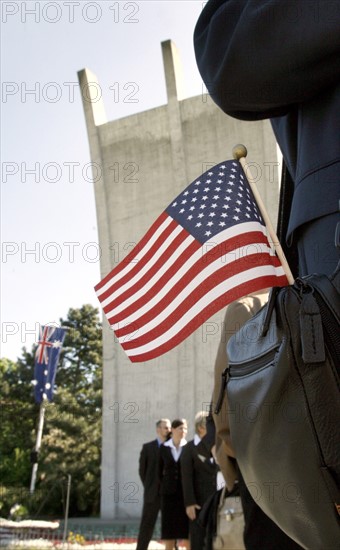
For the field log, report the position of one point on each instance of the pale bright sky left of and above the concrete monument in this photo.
(49, 242)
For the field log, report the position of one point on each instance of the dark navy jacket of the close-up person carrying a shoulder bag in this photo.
(280, 60)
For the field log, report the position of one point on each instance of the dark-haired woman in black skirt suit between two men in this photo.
(175, 524)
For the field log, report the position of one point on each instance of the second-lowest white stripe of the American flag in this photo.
(194, 283)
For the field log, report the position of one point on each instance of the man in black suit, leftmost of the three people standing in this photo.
(148, 472)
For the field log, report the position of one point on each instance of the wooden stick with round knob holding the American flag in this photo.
(239, 153)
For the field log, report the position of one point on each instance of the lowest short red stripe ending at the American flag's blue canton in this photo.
(186, 254)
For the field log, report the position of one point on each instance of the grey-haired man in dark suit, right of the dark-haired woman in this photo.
(199, 474)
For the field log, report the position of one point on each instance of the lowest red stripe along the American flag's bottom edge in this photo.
(226, 298)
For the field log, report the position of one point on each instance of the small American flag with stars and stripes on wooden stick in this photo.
(207, 249)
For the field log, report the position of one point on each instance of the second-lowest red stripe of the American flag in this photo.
(220, 275)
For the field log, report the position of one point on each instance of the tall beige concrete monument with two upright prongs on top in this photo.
(146, 160)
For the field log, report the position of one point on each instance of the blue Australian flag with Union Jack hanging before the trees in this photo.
(46, 359)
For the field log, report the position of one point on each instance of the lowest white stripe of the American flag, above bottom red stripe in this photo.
(214, 294)
